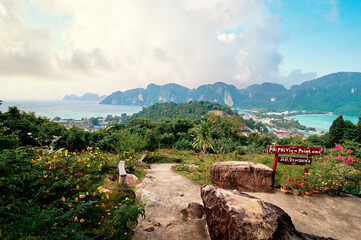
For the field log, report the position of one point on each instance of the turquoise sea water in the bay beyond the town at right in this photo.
(321, 122)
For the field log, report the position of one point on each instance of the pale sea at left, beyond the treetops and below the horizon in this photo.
(70, 109)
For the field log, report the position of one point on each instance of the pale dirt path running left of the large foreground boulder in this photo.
(169, 193)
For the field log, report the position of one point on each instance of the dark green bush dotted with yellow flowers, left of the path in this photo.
(59, 195)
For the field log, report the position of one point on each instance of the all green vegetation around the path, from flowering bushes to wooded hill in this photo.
(52, 178)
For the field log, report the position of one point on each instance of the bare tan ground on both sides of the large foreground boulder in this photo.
(169, 193)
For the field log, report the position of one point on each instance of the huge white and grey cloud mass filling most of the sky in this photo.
(122, 44)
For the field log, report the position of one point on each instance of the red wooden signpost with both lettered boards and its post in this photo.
(297, 150)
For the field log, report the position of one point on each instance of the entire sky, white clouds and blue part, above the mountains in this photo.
(49, 49)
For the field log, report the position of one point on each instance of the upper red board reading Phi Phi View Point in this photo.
(300, 150)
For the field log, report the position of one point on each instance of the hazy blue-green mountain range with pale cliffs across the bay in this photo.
(338, 93)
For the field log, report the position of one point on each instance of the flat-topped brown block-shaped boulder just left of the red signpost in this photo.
(243, 176)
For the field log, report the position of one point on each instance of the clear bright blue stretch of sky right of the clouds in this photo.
(318, 38)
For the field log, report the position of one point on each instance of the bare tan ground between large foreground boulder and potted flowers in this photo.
(321, 215)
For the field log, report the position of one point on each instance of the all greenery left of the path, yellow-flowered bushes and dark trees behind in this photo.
(53, 186)
